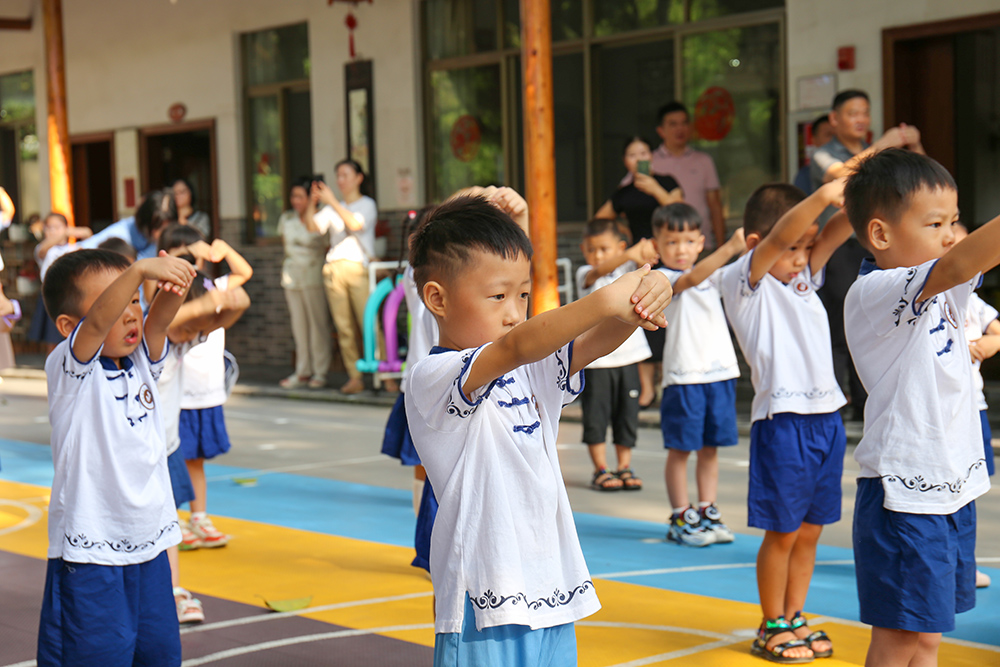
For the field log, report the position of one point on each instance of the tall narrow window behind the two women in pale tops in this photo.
(278, 121)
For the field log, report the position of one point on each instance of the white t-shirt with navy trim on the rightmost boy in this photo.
(922, 433)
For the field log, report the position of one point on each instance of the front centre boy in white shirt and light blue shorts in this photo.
(508, 572)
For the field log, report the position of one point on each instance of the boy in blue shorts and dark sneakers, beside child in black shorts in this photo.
(698, 410)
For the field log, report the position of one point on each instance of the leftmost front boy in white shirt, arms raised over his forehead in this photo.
(111, 516)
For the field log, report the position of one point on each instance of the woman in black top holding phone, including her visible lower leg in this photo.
(638, 195)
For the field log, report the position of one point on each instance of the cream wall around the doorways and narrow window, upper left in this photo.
(127, 62)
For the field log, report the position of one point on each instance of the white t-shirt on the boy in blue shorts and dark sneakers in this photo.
(698, 348)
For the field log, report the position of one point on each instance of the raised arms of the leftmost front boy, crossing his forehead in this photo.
(173, 274)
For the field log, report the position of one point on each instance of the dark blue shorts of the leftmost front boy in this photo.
(109, 616)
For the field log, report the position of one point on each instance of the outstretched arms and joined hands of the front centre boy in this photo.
(636, 295)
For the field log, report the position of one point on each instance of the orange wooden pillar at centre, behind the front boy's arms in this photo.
(539, 150)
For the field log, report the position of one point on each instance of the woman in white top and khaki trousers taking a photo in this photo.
(350, 223)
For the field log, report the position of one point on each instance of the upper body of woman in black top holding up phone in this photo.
(641, 194)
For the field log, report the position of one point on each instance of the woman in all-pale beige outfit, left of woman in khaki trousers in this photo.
(302, 280)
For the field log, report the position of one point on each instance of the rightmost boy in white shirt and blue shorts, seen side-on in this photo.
(921, 456)
